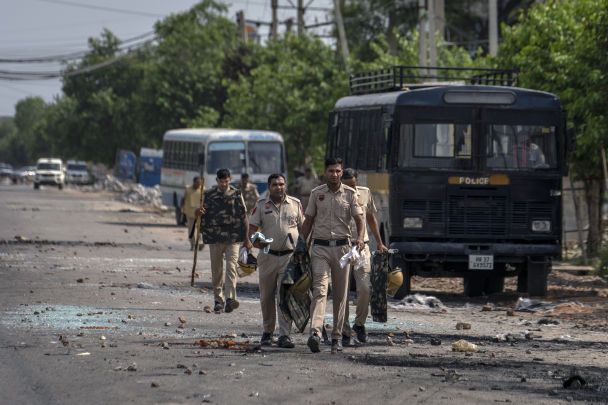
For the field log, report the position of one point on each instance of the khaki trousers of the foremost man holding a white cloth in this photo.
(325, 264)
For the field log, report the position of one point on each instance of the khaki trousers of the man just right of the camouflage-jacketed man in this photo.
(270, 271)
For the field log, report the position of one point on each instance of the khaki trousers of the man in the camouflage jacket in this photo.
(217, 251)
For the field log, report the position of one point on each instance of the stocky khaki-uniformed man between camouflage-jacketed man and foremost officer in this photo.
(279, 217)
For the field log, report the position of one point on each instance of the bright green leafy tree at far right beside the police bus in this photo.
(560, 47)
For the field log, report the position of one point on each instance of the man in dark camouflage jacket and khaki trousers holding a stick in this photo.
(224, 228)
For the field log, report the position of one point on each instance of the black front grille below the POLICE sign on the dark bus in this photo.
(477, 215)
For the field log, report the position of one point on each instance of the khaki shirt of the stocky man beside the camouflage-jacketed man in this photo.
(277, 222)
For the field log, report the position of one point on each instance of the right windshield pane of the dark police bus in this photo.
(521, 147)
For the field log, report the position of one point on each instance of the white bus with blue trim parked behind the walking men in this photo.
(202, 152)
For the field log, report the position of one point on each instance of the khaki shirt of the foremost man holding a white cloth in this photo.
(333, 212)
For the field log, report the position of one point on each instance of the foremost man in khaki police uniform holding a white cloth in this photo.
(330, 210)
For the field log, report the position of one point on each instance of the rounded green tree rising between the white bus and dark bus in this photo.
(292, 89)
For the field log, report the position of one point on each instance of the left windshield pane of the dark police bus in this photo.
(435, 145)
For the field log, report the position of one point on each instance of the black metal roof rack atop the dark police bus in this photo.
(400, 77)
